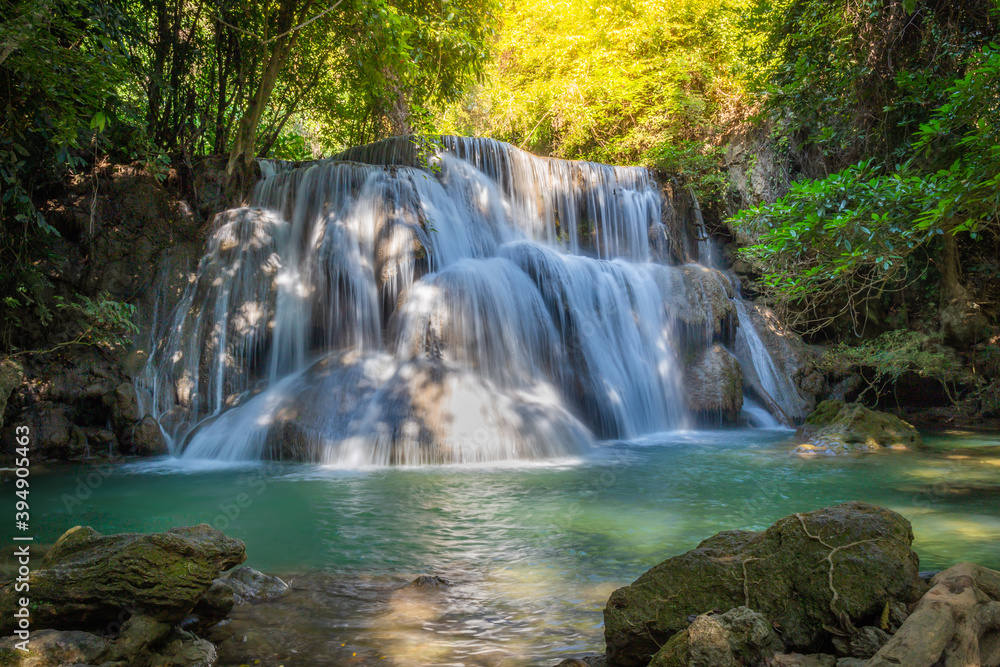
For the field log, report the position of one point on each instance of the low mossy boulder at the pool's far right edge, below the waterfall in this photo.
(835, 427)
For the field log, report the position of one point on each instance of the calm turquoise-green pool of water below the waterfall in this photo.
(531, 551)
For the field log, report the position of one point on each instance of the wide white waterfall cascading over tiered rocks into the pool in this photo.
(481, 304)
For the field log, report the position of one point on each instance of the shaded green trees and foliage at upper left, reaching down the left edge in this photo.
(159, 81)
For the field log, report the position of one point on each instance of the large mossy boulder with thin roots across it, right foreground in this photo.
(836, 567)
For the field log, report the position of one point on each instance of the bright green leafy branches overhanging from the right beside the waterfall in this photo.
(864, 230)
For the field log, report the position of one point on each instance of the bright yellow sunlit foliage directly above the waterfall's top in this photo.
(607, 82)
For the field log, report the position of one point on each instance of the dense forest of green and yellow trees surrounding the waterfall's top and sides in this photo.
(865, 207)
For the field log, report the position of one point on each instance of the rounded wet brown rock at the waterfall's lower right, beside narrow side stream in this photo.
(714, 384)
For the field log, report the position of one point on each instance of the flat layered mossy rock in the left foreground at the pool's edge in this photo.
(88, 580)
